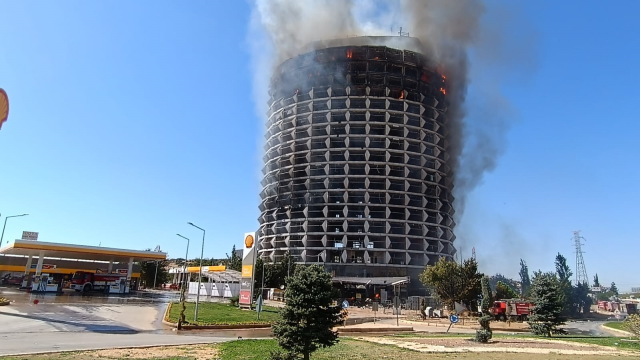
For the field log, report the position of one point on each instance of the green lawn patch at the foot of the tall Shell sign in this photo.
(223, 314)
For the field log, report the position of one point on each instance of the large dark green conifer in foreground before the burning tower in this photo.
(307, 320)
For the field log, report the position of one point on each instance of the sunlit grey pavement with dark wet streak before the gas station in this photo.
(70, 322)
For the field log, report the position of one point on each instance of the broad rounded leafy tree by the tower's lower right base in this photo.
(453, 282)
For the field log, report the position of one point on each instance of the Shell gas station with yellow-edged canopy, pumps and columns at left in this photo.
(50, 267)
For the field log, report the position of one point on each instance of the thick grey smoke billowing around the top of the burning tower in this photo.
(450, 30)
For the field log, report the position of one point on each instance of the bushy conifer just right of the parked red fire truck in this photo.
(547, 312)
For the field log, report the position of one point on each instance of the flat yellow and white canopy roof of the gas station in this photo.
(81, 252)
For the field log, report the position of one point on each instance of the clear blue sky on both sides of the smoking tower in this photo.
(128, 120)
